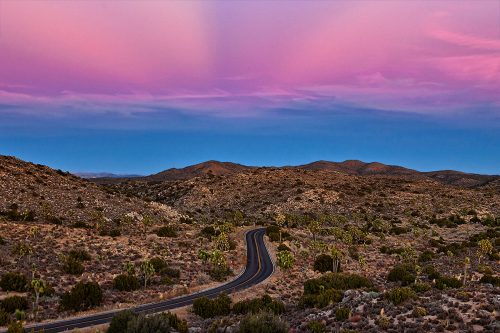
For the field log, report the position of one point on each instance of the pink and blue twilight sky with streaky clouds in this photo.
(142, 86)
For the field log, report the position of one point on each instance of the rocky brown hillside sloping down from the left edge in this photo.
(36, 192)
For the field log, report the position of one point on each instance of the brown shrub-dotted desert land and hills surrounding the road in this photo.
(358, 246)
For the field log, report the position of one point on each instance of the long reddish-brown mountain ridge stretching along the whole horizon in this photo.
(351, 167)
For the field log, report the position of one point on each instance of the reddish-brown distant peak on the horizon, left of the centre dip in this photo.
(215, 168)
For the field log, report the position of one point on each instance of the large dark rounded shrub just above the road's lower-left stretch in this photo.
(83, 295)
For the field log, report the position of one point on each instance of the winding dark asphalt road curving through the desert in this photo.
(259, 267)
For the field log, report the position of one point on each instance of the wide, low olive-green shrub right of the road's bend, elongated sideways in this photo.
(338, 281)
